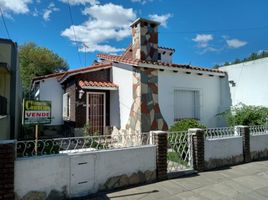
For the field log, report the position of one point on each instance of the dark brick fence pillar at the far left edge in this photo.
(7, 160)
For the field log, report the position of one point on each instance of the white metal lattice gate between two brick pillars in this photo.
(179, 153)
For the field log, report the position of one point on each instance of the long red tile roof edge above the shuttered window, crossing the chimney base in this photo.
(136, 62)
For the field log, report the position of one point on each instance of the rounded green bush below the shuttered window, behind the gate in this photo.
(185, 124)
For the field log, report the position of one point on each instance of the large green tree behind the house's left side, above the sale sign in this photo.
(38, 61)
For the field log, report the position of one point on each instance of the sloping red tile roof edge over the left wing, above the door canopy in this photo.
(62, 75)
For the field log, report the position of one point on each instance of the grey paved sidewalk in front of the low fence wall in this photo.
(247, 181)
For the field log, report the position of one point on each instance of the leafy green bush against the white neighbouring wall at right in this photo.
(246, 115)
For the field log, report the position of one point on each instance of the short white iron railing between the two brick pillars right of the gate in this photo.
(220, 132)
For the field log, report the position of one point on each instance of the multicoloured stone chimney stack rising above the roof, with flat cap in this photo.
(145, 39)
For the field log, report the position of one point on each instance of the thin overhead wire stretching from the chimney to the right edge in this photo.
(217, 31)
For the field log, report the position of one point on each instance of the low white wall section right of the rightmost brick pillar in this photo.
(258, 143)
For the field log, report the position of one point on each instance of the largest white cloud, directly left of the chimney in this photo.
(105, 23)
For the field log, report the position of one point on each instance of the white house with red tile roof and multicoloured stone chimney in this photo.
(140, 90)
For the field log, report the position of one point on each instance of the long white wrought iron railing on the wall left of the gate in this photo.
(80, 144)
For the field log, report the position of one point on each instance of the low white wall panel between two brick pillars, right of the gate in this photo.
(223, 148)
